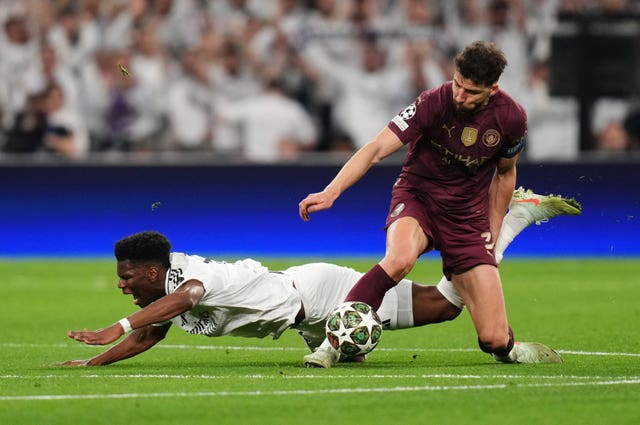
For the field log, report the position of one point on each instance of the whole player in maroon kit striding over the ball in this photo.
(454, 189)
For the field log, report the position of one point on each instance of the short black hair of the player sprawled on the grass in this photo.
(148, 246)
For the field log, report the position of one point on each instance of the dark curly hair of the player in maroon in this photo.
(481, 62)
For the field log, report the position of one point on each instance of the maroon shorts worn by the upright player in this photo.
(463, 242)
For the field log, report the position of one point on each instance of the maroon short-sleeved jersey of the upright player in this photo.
(452, 156)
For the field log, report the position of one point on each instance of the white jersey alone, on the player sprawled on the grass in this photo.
(240, 299)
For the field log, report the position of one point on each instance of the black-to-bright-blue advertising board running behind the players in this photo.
(242, 210)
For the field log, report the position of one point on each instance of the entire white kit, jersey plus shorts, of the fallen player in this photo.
(246, 299)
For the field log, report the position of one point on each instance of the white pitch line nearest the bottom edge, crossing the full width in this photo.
(309, 392)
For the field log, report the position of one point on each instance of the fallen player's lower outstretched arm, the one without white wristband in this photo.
(138, 341)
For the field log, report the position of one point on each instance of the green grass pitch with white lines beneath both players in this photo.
(587, 309)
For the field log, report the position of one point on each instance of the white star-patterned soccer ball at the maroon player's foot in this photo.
(353, 328)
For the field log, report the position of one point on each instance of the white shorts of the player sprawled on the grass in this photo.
(324, 286)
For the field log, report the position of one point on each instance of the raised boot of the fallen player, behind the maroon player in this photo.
(536, 208)
